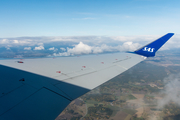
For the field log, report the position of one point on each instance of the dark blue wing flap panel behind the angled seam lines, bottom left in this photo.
(42, 105)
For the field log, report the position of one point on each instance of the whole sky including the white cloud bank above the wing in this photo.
(69, 27)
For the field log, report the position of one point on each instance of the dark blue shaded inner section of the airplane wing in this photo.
(33, 97)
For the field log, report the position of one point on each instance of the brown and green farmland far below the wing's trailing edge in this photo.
(134, 95)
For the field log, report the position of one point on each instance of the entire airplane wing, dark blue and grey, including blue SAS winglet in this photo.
(39, 89)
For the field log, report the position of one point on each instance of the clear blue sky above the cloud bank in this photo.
(88, 17)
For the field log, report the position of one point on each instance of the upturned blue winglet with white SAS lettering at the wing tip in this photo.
(150, 49)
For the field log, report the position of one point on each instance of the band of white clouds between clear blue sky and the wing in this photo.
(75, 45)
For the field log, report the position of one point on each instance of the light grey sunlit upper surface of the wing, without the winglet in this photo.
(69, 68)
